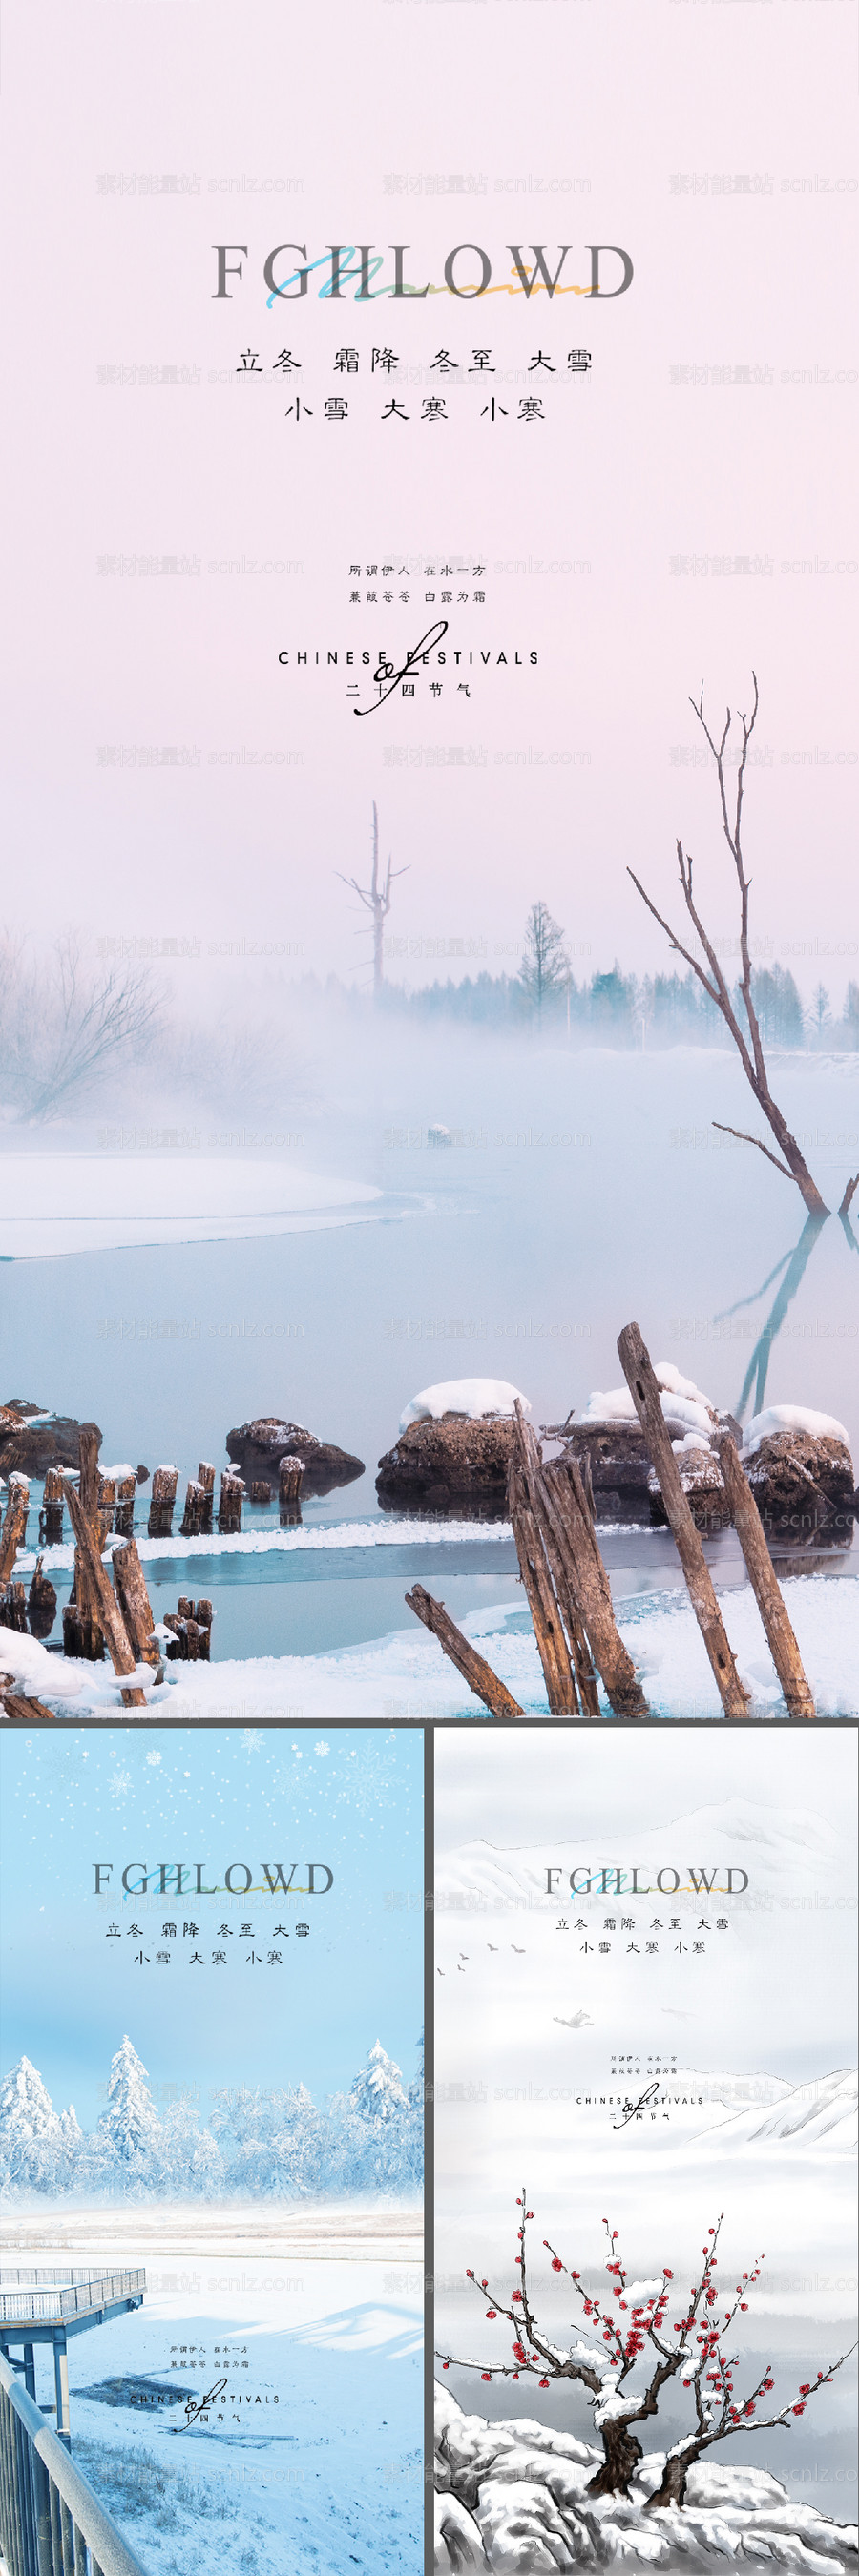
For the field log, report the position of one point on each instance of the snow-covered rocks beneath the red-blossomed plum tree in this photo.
(512, 2497)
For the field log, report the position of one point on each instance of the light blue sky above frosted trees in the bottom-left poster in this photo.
(218, 1797)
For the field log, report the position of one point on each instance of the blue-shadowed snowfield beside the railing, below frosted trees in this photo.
(311, 2451)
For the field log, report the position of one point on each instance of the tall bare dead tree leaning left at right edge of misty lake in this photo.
(791, 1158)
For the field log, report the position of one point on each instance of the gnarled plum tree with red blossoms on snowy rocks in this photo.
(607, 2366)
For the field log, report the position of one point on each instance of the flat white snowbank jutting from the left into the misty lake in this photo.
(107, 1202)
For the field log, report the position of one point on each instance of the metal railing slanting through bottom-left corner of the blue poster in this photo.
(50, 2518)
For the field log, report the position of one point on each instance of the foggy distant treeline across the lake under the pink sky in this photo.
(74, 1029)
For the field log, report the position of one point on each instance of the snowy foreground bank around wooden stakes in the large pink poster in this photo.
(406, 1676)
